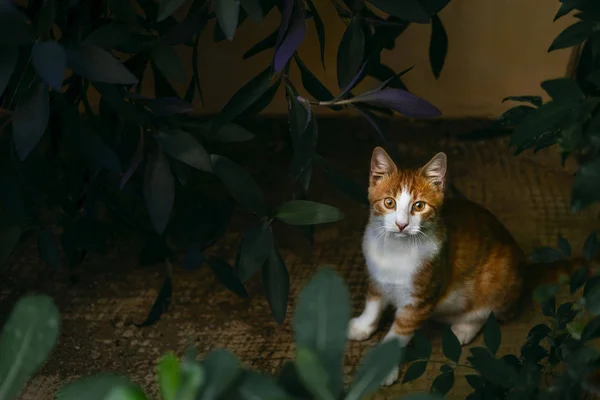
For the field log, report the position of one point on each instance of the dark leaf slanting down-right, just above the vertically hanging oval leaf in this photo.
(183, 147)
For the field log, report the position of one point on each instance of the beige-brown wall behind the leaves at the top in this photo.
(496, 48)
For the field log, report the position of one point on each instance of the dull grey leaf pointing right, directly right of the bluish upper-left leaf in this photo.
(96, 64)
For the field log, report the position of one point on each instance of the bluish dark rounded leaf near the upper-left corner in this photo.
(50, 62)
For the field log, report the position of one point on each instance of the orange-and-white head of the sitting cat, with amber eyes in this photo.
(406, 202)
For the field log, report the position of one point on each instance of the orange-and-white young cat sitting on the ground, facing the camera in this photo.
(448, 260)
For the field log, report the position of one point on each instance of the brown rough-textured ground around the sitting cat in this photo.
(529, 193)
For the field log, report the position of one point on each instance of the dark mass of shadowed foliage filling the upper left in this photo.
(151, 160)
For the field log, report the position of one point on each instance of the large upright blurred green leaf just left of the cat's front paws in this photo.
(321, 322)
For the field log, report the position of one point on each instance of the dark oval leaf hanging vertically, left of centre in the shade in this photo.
(159, 190)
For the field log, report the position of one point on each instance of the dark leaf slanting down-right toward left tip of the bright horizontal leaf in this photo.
(240, 184)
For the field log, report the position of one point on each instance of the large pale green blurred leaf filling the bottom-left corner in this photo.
(27, 338)
